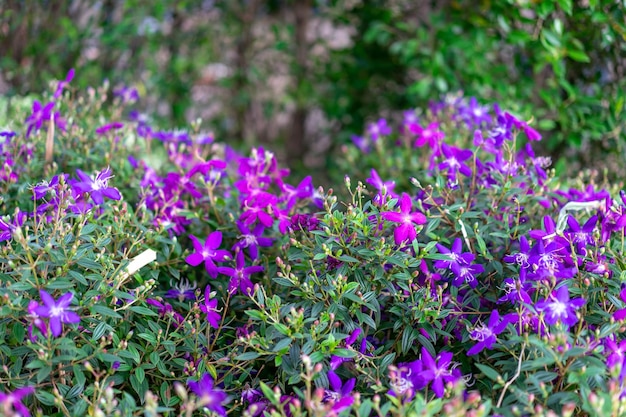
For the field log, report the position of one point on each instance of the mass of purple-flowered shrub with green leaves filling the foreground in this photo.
(163, 273)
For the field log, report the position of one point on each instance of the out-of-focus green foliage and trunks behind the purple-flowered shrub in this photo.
(301, 76)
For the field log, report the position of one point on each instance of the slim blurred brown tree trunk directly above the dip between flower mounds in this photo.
(297, 146)
